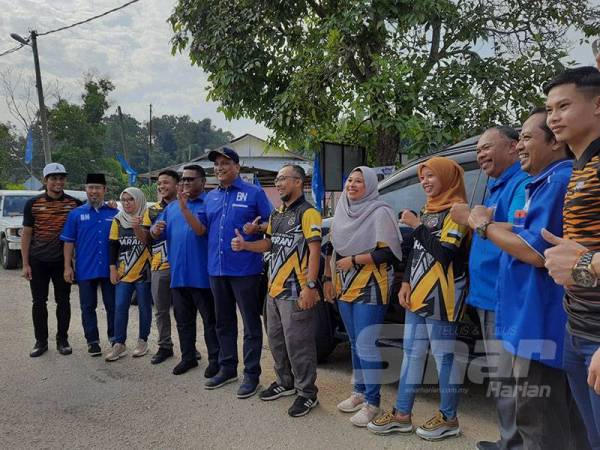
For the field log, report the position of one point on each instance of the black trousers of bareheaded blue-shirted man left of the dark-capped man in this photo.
(187, 302)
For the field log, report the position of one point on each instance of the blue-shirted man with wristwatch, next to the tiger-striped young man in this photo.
(530, 320)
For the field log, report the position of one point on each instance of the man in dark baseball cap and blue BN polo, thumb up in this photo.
(235, 276)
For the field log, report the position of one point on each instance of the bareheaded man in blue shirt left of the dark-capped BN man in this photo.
(187, 247)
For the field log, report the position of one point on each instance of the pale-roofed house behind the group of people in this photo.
(258, 161)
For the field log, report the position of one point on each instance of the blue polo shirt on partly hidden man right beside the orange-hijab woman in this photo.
(506, 194)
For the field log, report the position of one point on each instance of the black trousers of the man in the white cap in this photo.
(41, 274)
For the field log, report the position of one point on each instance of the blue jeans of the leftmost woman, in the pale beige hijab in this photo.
(124, 291)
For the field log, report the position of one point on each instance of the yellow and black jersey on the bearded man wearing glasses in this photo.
(291, 229)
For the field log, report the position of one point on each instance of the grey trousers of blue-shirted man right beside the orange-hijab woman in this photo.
(505, 406)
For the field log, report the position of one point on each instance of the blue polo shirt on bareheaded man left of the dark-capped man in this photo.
(187, 251)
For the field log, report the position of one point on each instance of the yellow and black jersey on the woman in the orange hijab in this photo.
(437, 267)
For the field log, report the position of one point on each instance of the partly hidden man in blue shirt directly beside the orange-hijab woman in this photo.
(497, 157)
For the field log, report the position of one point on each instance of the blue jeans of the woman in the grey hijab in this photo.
(366, 359)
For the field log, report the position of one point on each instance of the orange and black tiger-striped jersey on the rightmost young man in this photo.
(581, 223)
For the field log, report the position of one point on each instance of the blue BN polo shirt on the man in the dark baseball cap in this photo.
(228, 209)
